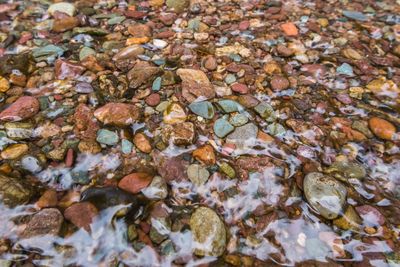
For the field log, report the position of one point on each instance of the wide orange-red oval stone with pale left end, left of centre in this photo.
(117, 114)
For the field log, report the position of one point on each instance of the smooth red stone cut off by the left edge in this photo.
(25, 107)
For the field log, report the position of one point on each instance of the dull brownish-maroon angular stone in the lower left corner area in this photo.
(45, 222)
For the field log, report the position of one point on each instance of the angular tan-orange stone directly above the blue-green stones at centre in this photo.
(195, 84)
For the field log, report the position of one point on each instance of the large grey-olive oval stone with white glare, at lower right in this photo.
(326, 195)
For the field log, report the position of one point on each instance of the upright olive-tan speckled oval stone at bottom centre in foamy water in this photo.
(208, 232)
